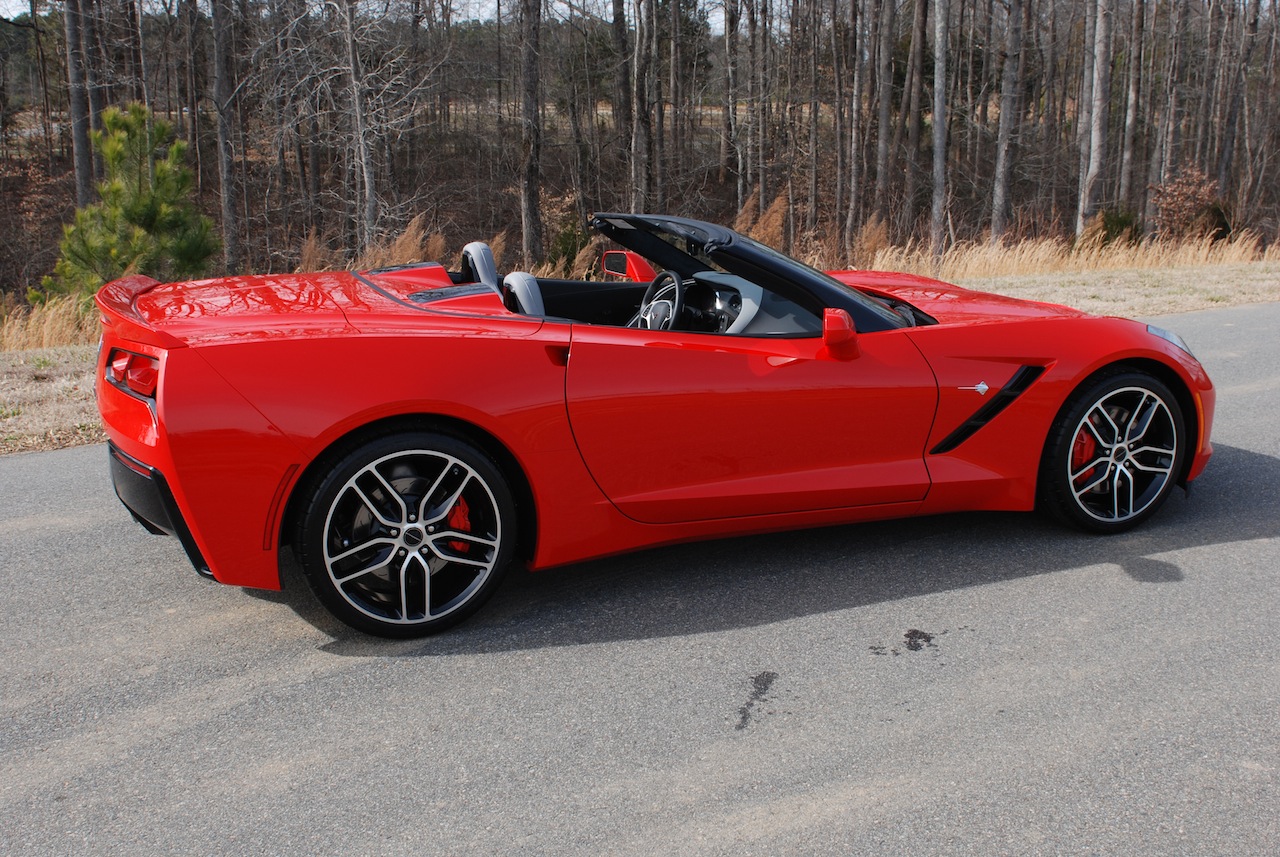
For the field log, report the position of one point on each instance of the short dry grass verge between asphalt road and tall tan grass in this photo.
(47, 396)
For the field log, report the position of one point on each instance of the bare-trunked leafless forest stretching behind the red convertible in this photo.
(831, 129)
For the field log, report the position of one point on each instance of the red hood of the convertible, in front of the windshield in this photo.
(952, 304)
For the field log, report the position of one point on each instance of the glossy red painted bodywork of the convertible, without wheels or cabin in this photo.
(625, 438)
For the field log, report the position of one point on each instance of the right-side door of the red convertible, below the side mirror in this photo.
(680, 427)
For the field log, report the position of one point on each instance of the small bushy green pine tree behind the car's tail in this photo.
(145, 223)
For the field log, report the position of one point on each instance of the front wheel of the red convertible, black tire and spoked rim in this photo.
(1114, 453)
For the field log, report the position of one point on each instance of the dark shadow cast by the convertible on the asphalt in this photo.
(761, 580)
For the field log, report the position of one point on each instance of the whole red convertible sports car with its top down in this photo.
(414, 432)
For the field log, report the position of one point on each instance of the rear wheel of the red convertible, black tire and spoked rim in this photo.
(408, 534)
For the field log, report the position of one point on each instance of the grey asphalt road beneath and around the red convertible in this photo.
(968, 685)
